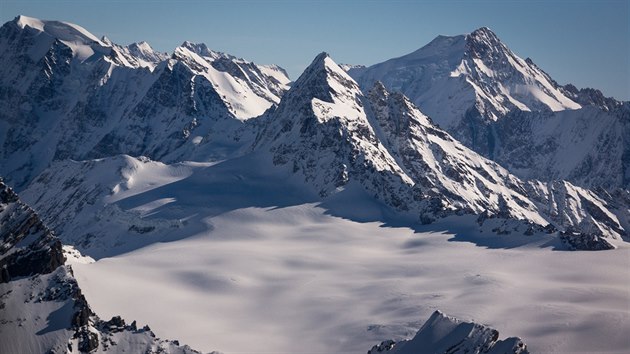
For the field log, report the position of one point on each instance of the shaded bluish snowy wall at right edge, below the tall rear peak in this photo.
(589, 147)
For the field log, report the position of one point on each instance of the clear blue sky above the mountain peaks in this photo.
(583, 42)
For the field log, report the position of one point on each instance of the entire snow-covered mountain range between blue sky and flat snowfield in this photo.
(118, 147)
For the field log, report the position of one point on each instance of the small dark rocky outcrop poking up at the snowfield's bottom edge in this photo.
(443, 334)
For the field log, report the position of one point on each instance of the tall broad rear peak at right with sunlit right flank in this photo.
(451, 75)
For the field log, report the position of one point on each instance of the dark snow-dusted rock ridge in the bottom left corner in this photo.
(29, 248)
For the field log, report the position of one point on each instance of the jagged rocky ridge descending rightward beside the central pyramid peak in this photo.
(454, 178)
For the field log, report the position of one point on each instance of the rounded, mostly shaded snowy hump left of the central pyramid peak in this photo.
(79, 200)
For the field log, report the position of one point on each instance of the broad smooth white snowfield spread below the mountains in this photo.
(298, 280)
